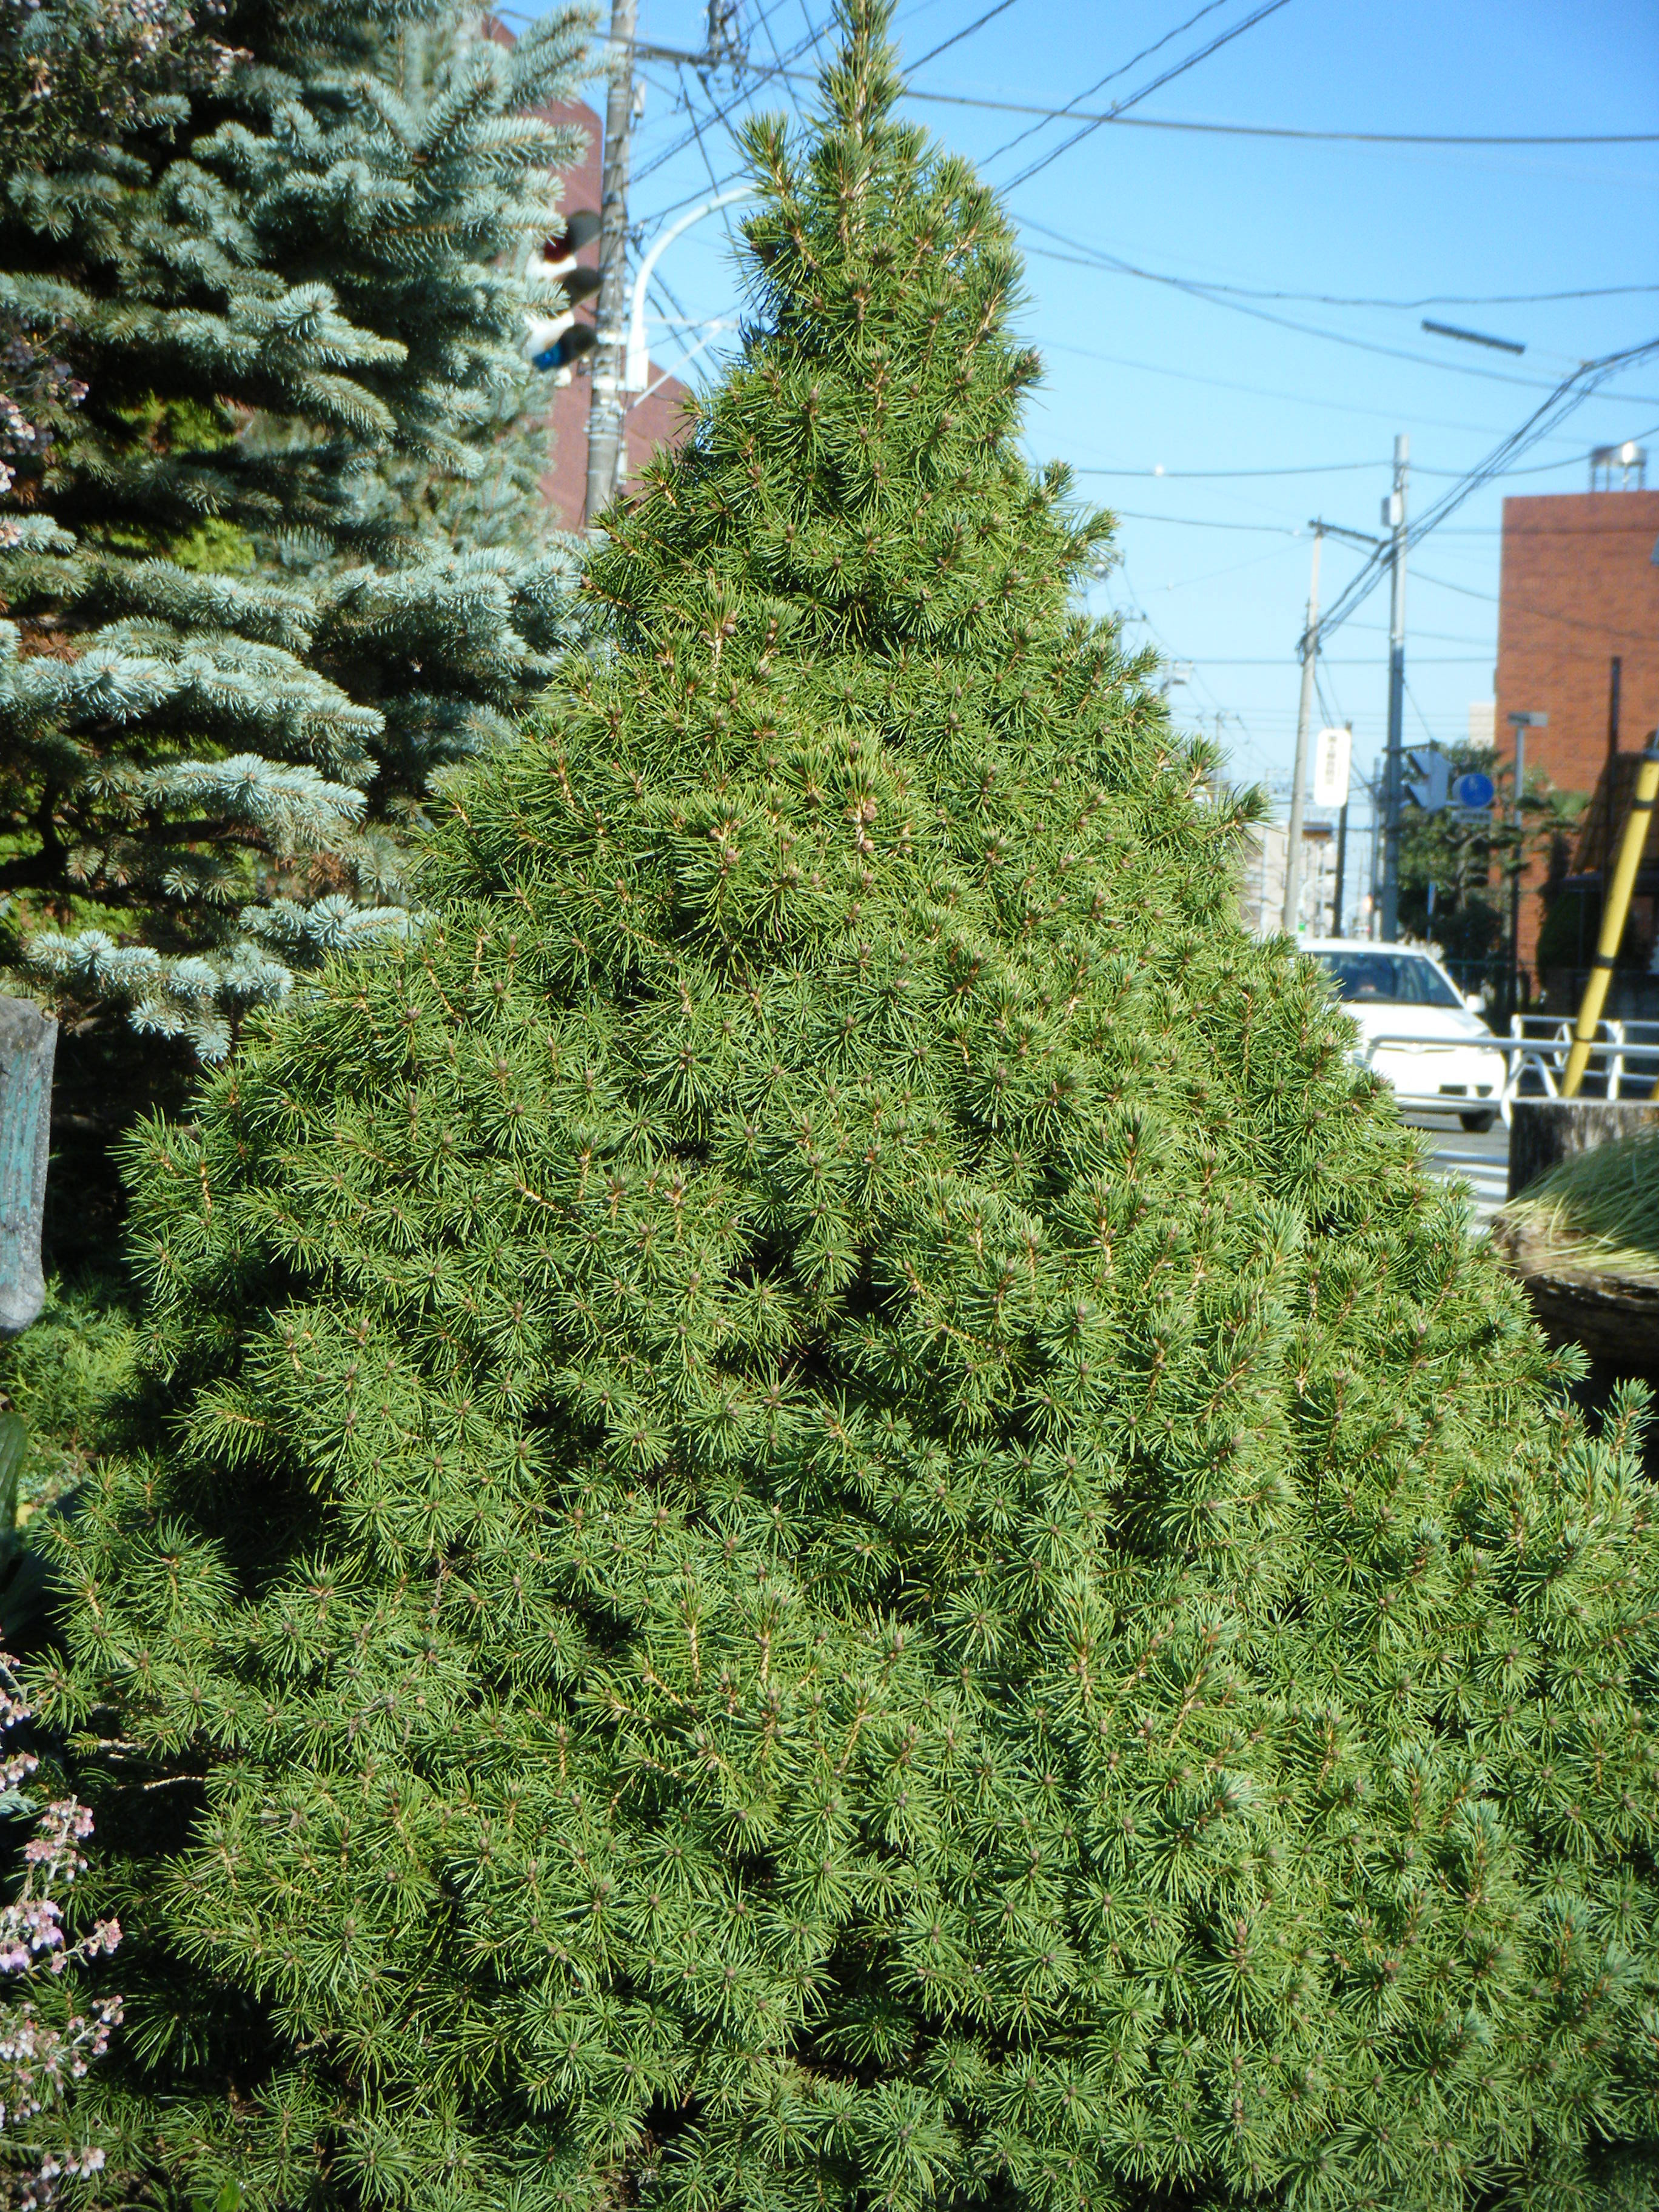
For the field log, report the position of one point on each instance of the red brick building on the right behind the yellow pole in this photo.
(1578, 636)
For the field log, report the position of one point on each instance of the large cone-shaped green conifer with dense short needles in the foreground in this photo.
(826, 1514)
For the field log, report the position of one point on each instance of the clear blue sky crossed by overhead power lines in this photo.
(1145, 377)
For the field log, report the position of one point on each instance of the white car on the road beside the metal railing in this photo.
(1417, 1030)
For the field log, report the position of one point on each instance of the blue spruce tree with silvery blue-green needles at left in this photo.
(233, 662)
